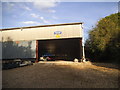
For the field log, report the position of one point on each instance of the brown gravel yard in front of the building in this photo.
(61, 74)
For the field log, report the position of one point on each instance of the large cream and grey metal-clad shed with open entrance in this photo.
(63, 41)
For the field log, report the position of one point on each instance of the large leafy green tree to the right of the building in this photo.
(103, 44)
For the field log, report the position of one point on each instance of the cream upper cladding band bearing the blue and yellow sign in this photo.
(42, 33)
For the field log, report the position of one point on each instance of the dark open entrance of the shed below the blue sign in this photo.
(60, 49)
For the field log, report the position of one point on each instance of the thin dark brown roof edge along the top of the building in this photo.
(41, 26)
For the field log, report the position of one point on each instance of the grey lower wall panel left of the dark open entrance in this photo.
(18, 49)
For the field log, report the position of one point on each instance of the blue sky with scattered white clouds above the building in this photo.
(20, 14)
